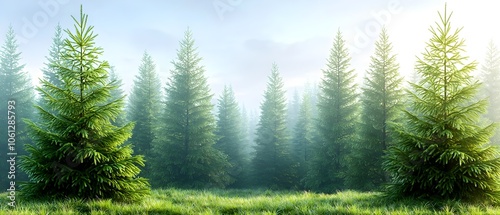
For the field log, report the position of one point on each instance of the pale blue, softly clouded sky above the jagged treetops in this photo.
(240, 39)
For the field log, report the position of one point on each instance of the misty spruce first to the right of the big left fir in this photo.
(144, 109)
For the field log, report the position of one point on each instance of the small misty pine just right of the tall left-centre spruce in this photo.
(230, 135)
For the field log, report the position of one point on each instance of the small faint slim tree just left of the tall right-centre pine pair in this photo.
(302, 139)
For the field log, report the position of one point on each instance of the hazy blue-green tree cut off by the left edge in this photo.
(17, 90)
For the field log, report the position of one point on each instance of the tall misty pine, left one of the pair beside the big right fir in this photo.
(337, 117)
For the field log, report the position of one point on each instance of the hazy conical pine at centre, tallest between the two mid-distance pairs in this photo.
(271, 163)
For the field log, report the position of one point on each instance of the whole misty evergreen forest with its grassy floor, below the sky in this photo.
(78, 137)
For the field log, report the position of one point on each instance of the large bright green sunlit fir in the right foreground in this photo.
(441, 150)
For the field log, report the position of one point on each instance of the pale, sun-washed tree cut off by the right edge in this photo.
(491, 86)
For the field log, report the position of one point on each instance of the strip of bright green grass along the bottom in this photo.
(175, 201)
